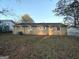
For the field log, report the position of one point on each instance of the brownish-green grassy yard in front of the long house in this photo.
(39, 47)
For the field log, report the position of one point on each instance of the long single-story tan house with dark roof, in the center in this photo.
(40, 28)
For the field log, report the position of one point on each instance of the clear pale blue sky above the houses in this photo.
(39, 10)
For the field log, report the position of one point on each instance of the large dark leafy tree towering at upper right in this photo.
(68, 8)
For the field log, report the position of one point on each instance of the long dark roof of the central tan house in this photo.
(41, 24)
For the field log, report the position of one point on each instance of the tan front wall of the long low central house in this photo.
(40, 30)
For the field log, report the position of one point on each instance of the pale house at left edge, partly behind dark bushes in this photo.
(9, 23)
